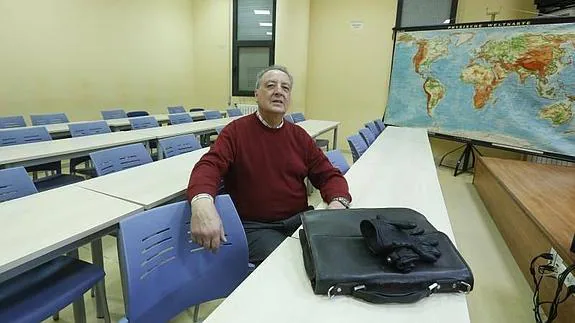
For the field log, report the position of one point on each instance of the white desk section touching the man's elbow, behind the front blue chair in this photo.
(151, 184)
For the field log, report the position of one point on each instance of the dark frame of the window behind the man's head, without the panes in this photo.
(237, 44)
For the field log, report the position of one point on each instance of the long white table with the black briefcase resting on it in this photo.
(396, 171)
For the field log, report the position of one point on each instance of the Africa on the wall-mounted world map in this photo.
(484, 81)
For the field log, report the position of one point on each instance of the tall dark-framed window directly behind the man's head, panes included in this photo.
(253, 43)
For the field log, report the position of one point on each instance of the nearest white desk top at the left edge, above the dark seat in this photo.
(35, 225)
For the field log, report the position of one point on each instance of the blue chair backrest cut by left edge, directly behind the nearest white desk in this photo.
(15, 183)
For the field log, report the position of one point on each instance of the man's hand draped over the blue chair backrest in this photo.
(206, 226)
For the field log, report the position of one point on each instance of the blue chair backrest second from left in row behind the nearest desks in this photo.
(116, 159)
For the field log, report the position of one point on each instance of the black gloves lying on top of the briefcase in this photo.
(402, 244)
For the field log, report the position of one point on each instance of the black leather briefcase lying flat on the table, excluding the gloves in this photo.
(338, 262)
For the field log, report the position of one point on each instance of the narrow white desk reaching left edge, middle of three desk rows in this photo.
(59, 148)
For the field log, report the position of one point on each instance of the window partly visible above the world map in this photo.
(414, 13)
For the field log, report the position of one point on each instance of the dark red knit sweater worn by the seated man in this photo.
(264, 170)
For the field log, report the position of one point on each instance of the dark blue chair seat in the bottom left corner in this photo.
(40, 292)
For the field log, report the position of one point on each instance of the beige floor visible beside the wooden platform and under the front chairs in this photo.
(501, 293)
